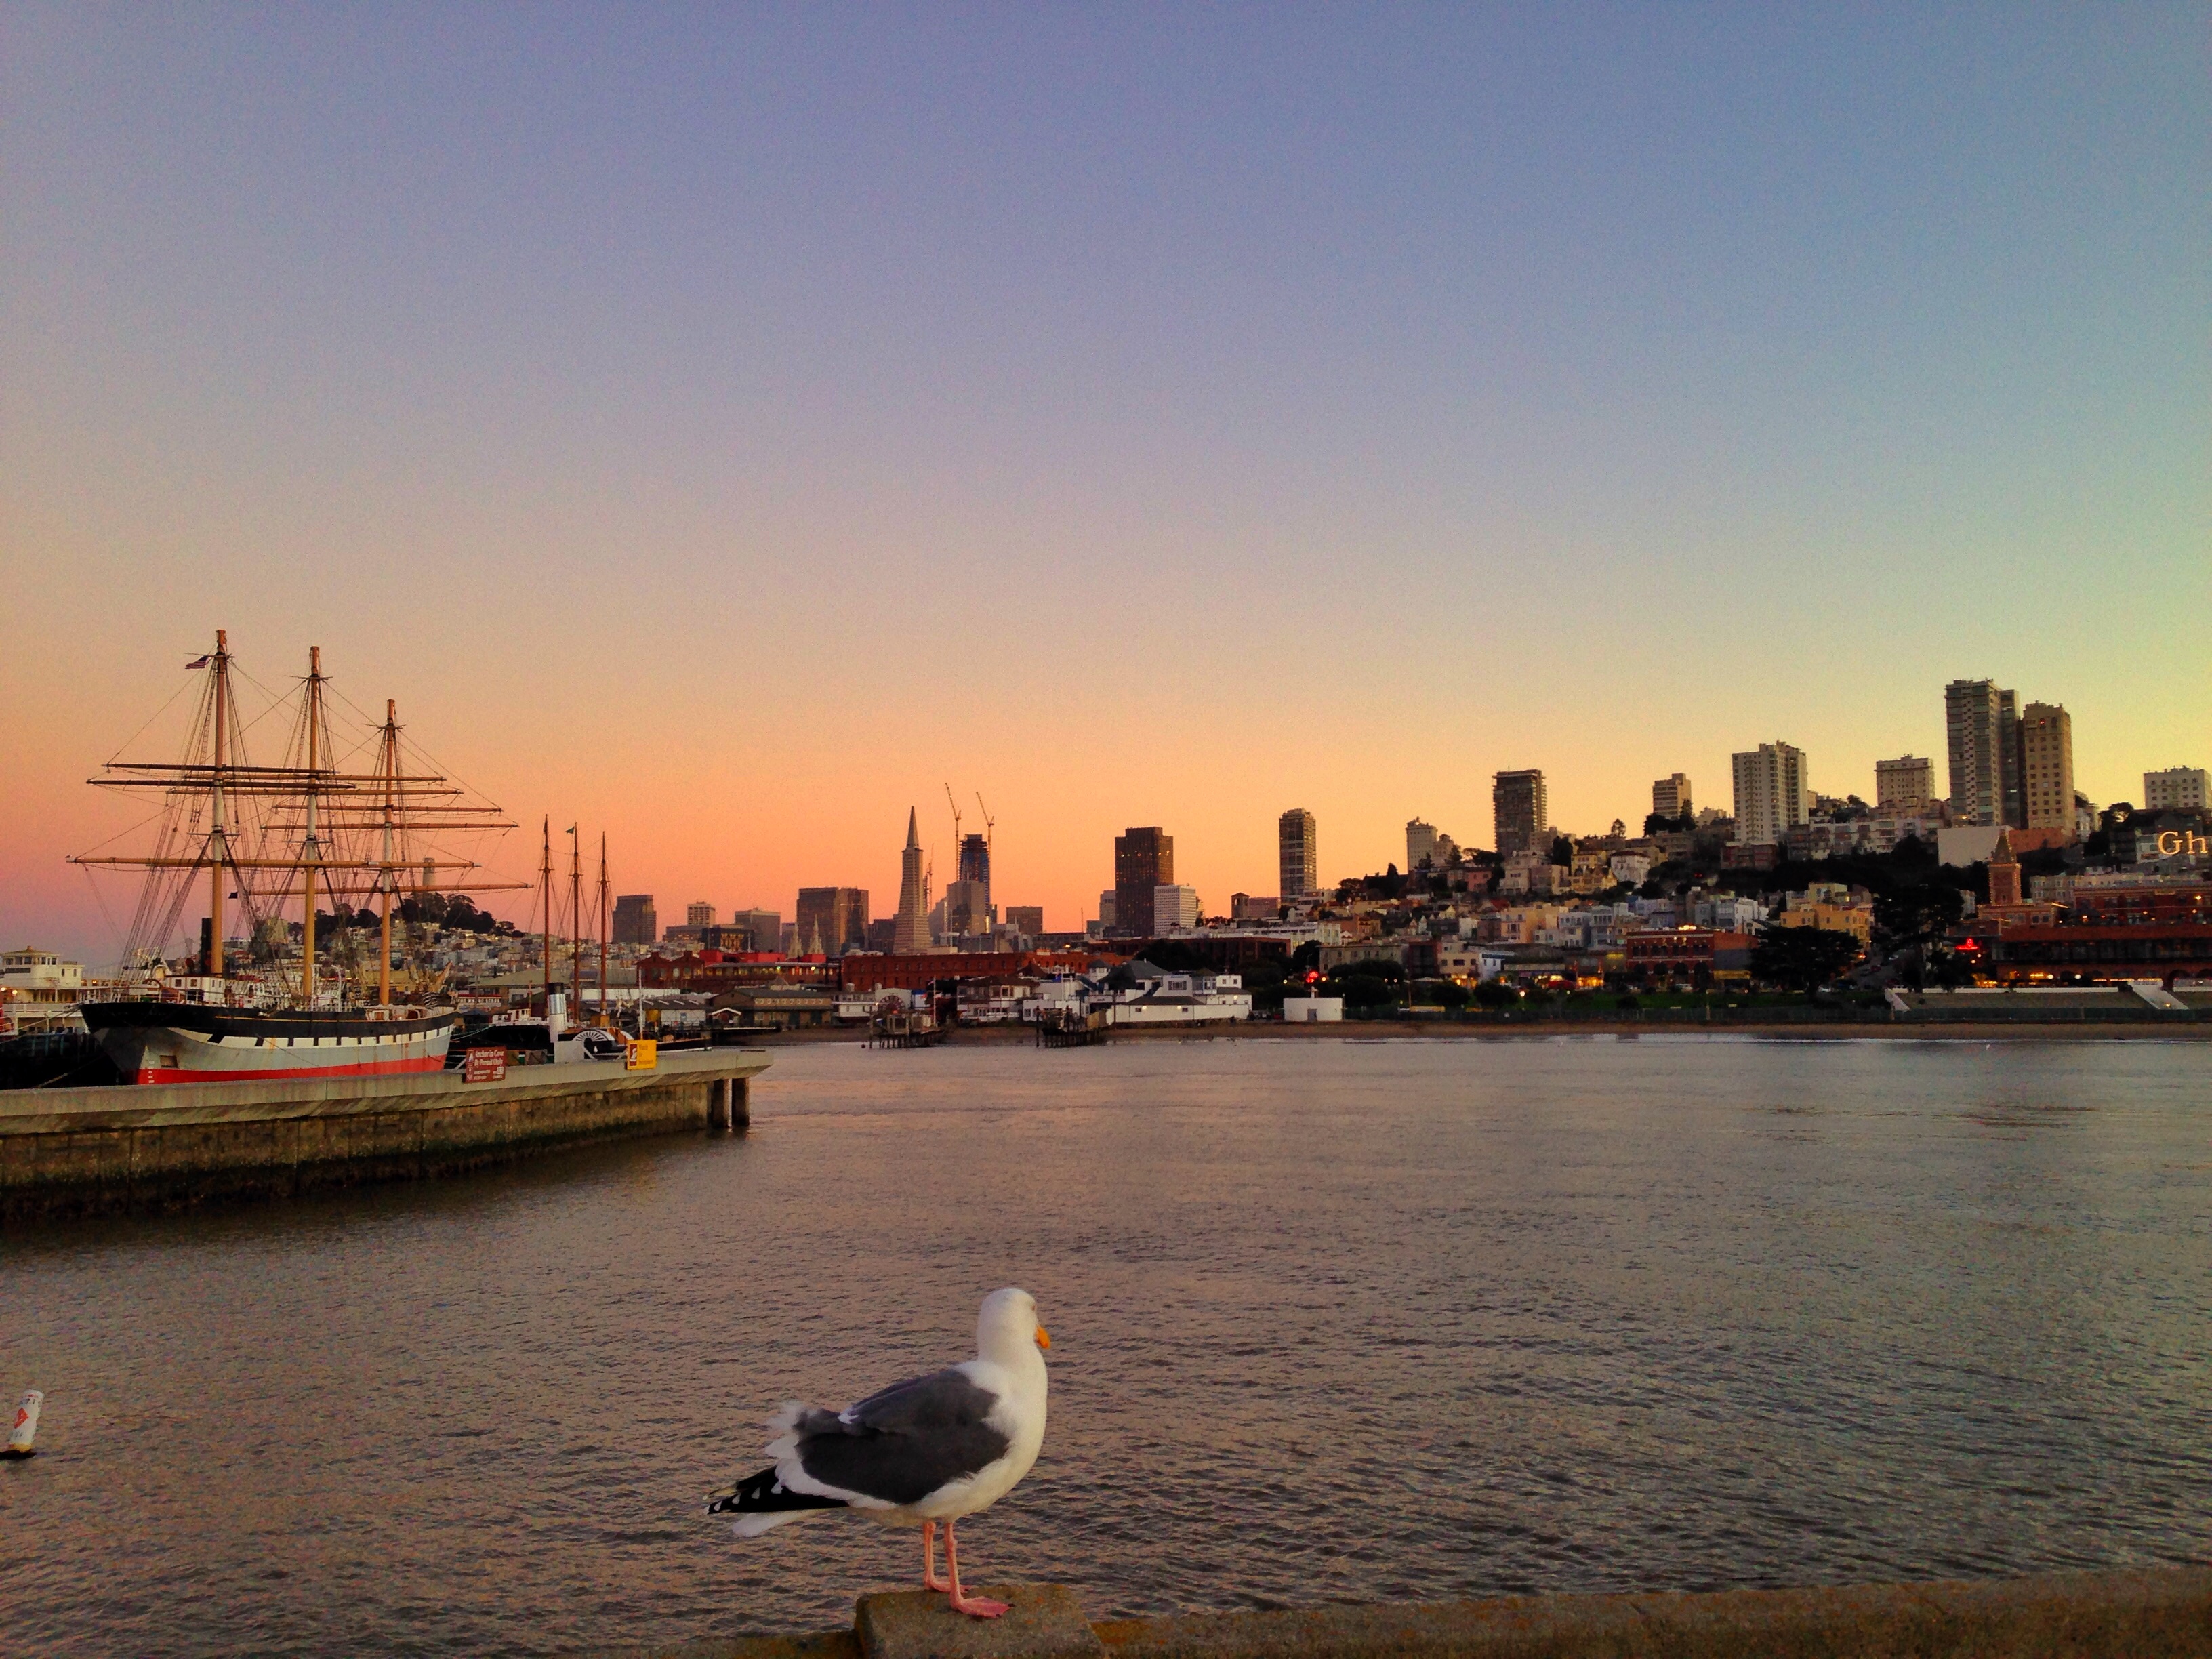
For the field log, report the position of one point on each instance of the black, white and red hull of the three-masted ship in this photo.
(178, 1043)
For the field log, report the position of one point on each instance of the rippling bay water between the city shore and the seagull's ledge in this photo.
(1331, 1319)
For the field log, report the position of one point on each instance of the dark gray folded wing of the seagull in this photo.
(904, 1443)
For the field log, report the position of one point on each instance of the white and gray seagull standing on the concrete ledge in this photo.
(921, 1452)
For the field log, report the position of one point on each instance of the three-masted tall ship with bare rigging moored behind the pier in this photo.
(328, 826)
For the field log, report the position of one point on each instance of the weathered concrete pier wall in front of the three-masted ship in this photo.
(79, 1151)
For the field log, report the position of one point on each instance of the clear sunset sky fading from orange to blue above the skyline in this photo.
(729, 426)
